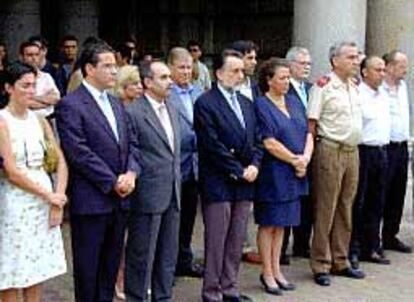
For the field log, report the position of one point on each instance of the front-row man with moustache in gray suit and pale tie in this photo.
(152, 246)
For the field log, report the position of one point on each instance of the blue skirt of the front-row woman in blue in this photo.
(277, 214)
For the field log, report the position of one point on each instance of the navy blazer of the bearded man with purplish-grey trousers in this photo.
(225, 147)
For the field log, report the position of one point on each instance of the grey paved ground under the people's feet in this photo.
(383, 283)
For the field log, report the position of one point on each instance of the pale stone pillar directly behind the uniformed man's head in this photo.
(318, 24)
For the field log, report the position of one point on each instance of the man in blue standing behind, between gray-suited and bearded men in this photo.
(183, 96)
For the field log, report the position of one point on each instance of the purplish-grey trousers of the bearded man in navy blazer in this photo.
(225, 226)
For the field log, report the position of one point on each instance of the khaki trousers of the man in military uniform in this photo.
(335, 180)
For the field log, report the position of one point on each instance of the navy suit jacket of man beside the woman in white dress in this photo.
(94, 156)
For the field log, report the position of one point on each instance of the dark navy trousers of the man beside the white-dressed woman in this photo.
(97, 242)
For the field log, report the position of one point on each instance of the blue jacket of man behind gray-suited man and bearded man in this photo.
(189, 155)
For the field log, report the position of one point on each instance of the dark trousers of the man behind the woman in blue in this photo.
(301, 233)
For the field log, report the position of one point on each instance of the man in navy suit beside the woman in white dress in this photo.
(100, 152)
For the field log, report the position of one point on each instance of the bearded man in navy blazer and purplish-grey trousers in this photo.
(229, 160)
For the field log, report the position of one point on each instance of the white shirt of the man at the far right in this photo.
(399, 110)
